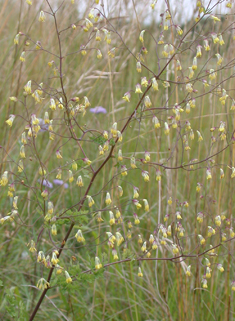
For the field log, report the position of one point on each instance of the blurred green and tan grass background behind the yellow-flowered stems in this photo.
(116, 293)
